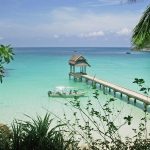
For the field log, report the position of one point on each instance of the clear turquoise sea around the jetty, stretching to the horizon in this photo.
(36, 70)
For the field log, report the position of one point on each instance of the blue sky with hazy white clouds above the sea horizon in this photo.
(69, 23)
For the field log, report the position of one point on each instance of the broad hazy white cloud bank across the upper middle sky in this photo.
(74, 21)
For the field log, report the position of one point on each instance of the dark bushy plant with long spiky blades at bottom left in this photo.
(38, 134)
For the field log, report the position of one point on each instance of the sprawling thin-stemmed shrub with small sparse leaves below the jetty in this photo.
(97, 127)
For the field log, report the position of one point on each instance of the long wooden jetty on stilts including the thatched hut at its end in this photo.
(80, 62)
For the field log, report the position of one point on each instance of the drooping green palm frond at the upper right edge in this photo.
(141, 33)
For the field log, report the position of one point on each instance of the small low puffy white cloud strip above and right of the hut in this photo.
(92, 34)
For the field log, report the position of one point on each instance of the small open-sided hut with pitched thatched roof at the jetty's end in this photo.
(78, 61)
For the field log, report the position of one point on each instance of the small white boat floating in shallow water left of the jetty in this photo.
(65, 92)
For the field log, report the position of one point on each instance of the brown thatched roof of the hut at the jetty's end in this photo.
(78, 60)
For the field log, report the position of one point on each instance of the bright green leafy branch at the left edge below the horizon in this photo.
(6, 55)
